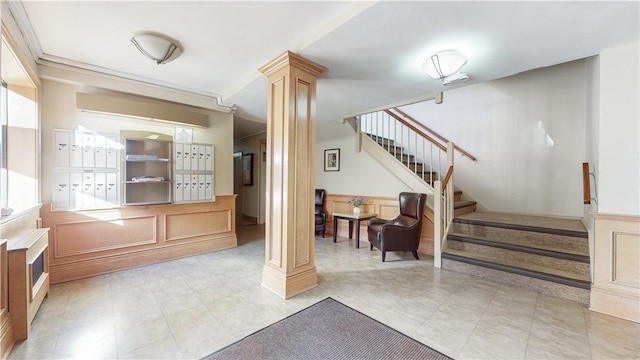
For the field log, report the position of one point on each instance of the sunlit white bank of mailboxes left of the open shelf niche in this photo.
(85, 170)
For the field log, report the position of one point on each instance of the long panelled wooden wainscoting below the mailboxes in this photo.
(88, 243)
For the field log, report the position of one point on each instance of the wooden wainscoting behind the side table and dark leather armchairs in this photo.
(385, 207)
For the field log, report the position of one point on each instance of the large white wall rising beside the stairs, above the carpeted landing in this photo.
(527, 132)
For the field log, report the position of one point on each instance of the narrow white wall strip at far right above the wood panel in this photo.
(619, 131)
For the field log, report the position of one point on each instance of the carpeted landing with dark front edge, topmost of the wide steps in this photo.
(571, 227)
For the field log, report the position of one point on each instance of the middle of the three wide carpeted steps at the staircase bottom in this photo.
(570, 265)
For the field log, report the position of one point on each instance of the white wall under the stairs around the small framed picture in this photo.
(359, 174)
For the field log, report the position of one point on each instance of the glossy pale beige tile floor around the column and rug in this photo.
(188, 308)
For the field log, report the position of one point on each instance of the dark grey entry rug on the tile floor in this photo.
(327, 330)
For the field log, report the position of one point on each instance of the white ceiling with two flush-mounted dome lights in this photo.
(372, 50)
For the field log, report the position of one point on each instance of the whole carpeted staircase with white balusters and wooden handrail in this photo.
(542, 253)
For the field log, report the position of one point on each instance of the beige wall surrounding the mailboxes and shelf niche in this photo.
(58, 111)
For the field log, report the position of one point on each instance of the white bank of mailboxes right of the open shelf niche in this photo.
(193, 176)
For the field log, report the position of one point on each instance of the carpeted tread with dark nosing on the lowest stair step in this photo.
(563, 277)
